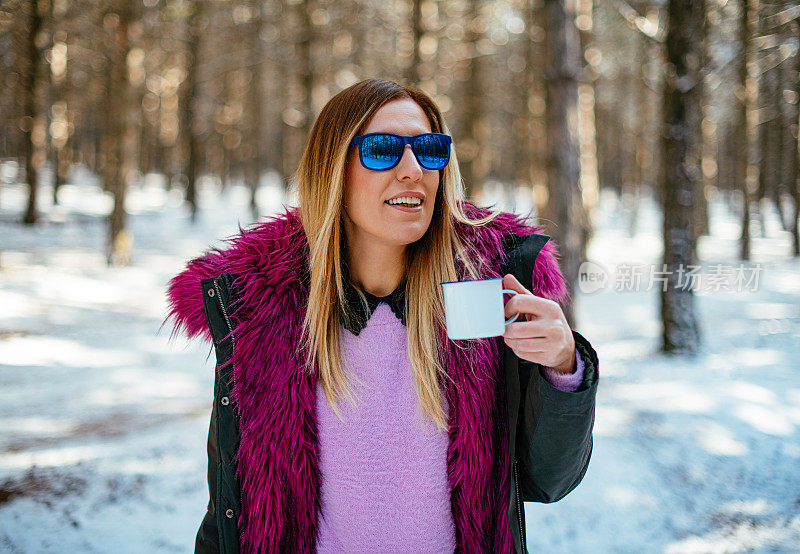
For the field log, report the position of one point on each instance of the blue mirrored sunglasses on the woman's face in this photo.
(382, 151)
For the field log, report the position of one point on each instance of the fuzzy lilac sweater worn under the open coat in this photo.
(384, 484)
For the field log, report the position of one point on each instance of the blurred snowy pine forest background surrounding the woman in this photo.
(657, 141)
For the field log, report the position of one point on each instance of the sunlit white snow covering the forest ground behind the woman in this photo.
(103, 420)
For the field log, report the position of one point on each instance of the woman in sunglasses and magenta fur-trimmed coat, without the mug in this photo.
(440, 441)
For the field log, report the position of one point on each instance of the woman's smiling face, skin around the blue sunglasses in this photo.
(368, 218)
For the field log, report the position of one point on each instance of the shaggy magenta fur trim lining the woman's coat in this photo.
(276, 461)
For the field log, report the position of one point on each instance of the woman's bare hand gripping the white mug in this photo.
(542, 335)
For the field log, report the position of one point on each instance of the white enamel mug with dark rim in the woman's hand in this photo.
(475, 309)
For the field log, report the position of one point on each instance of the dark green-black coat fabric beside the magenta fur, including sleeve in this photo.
(550, 430)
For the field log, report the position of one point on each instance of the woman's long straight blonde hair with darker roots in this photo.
(320, 182)
